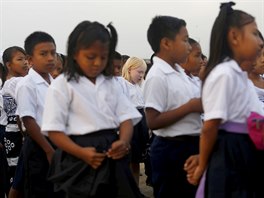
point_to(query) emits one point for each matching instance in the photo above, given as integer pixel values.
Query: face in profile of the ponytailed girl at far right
(249, 43)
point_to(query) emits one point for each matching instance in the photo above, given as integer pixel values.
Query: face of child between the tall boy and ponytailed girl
(194, 60)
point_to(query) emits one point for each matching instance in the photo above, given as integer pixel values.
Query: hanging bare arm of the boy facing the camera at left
(33, 130)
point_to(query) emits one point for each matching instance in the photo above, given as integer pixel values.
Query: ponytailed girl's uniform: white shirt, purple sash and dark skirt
(228, 95)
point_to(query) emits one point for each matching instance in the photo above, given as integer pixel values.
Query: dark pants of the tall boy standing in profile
(167, 160)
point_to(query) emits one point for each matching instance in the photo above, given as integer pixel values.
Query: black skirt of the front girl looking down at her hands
(79, 180)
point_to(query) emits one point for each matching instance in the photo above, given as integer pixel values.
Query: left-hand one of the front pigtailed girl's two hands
(91, 157)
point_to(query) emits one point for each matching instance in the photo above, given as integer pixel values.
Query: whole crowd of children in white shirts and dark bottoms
(79, 125)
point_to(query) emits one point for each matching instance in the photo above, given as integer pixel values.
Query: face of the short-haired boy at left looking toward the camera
(43, 58)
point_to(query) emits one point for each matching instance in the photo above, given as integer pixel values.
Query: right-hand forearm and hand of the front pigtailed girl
(121, 147)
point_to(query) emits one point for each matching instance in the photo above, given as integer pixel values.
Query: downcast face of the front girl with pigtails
(93, 60)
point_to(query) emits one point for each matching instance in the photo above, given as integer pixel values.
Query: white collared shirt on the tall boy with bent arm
(167, 89)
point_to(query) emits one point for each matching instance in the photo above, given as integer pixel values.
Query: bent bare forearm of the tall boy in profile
(157, 120)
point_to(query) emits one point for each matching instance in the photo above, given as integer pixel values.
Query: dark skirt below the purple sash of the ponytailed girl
(232, 167)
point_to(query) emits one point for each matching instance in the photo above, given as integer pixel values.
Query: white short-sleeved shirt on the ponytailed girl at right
(228, 94)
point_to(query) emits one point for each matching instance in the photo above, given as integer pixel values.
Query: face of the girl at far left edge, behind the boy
(18, 66)
